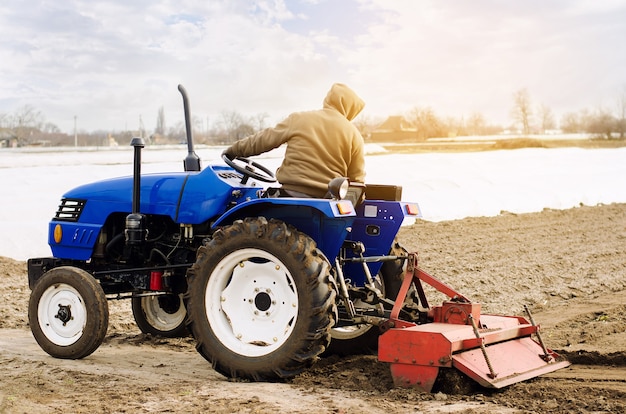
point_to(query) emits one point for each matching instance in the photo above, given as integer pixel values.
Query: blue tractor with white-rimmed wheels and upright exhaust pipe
(262, 282)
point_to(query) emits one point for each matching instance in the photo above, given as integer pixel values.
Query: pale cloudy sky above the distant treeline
(106, 65)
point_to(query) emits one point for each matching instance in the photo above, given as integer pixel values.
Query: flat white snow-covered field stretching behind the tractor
(446, 185)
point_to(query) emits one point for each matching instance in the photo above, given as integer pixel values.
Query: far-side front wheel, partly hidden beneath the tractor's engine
(161, 315)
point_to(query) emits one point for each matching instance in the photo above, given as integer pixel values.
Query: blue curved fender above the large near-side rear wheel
(328, 222)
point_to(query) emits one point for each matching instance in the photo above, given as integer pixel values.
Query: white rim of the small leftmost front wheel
(62, 314)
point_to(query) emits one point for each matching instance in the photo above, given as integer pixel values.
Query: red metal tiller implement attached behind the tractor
(495, 351)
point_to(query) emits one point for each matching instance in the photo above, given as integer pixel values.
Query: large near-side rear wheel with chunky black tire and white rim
(260, 301)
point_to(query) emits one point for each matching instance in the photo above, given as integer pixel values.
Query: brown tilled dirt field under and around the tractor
(568, 266)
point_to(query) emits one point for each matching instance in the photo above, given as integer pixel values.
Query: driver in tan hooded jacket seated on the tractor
(321, 145)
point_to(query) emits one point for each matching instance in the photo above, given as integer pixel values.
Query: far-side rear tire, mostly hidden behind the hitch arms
(363, 339)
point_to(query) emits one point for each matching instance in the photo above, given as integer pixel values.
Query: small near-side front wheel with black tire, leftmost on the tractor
(68, 313)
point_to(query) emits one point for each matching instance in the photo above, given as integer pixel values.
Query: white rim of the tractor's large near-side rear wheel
(251, 305)
